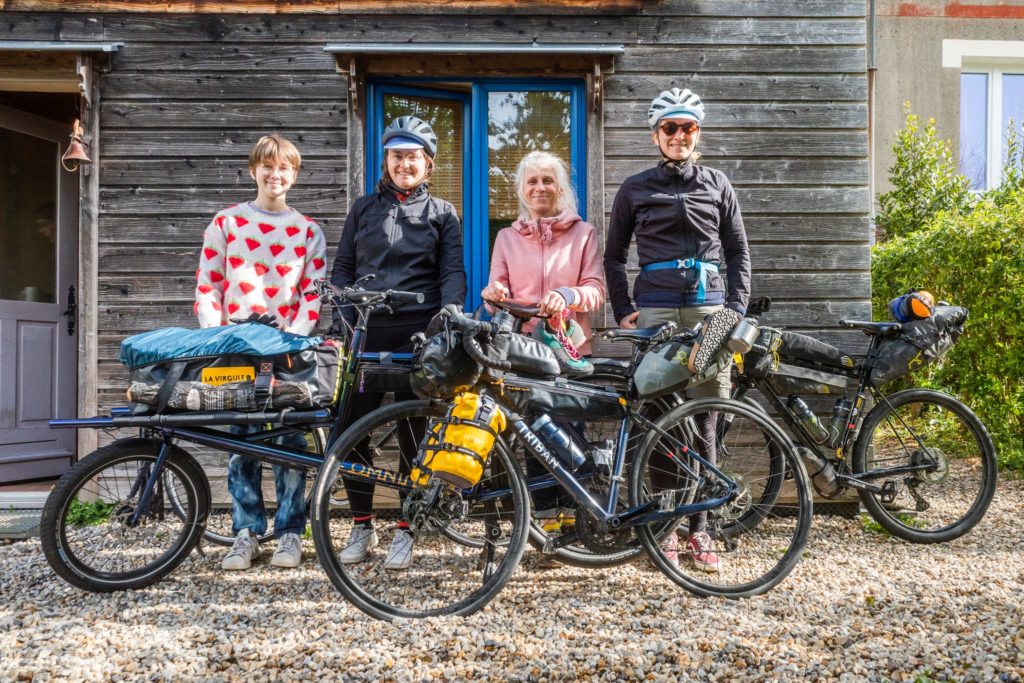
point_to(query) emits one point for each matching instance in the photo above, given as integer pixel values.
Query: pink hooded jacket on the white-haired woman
(534, 258)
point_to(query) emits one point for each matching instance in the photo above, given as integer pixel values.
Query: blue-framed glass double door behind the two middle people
(477, 108)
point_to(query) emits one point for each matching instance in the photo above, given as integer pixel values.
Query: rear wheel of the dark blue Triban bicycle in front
(749, 560)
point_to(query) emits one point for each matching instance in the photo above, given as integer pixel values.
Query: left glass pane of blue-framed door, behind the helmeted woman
(445, 116)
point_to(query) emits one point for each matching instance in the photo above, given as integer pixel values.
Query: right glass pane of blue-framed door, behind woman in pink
(519, 123)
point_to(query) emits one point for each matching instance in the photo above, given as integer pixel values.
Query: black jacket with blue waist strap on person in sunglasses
(691, 214)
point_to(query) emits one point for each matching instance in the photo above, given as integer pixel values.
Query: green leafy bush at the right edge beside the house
(971, 257)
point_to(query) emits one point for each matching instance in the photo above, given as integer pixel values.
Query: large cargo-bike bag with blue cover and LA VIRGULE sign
(246, 367)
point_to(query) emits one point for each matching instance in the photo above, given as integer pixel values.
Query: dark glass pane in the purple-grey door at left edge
(28, 218)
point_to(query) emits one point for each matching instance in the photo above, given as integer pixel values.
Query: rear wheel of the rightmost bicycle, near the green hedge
(935, 461)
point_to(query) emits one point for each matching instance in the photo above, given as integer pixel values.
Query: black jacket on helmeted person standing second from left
(414, 246)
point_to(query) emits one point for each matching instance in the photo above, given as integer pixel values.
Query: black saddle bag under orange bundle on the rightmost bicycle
(919, 344)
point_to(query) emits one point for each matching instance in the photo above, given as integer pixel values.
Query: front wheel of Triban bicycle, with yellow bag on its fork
(465, 543)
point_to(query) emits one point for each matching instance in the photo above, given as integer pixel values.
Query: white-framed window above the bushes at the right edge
(991, 99)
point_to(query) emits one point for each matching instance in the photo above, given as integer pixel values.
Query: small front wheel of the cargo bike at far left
(88, 533)
